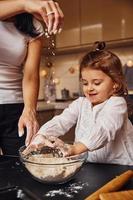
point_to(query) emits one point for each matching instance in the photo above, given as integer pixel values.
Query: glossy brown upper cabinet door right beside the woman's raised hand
(70, 36)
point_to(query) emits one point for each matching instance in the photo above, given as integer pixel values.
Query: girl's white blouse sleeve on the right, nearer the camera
(106, 124)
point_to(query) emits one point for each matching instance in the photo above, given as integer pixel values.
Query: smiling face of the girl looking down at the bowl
(97, 86)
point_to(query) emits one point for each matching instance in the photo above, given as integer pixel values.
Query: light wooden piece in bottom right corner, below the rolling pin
(123, 195)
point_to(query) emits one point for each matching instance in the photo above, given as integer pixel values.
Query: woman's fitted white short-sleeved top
(13, 51)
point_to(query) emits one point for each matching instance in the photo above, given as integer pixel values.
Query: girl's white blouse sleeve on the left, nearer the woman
(60, 124)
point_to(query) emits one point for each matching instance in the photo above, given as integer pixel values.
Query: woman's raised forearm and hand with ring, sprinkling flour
(39, 8)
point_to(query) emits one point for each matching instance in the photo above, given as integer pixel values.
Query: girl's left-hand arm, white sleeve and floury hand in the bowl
(59, 125)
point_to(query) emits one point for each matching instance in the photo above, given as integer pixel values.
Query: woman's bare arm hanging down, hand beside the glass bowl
(30, 90)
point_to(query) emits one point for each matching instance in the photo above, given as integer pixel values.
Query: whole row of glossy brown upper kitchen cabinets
(89, 21)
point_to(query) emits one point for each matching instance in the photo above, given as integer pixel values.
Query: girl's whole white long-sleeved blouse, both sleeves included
(104, 129)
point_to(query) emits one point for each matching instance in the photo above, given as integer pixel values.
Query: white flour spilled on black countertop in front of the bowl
(69, 192)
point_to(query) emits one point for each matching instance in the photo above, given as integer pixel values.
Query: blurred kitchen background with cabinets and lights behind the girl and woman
(85, 22)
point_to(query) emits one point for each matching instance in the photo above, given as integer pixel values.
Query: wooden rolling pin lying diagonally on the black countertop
(113, 185)
